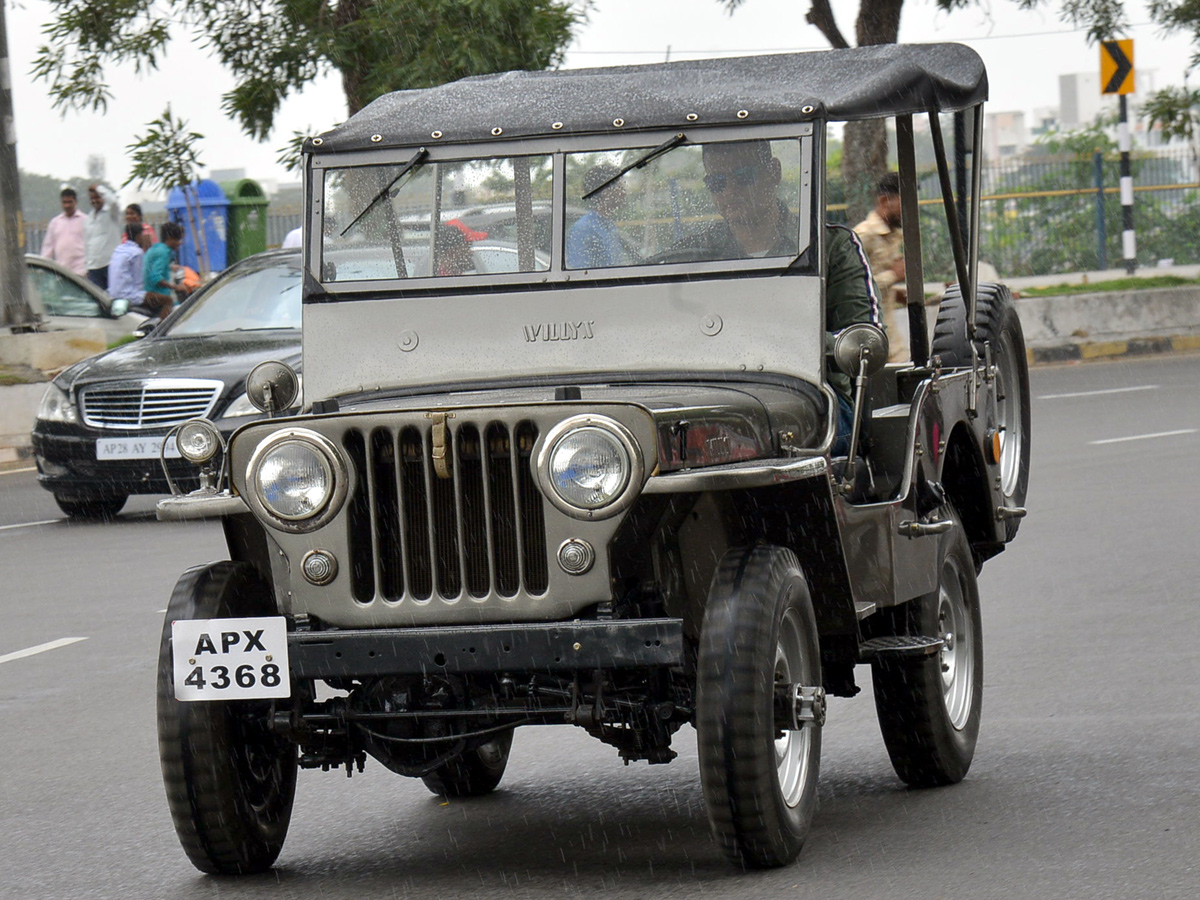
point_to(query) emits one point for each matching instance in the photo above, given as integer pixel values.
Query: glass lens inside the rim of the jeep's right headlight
(589, 467)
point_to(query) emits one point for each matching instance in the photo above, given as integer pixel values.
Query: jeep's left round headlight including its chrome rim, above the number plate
(297, 479)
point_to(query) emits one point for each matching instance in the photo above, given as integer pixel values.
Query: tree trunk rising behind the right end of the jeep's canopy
(866, 148)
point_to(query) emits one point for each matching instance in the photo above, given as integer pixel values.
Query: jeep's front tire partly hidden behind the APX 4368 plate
(230, 779)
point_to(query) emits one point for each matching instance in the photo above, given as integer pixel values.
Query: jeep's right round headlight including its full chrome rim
(591, 467)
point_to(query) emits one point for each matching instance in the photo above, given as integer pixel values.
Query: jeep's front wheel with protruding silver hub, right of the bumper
(760, 784)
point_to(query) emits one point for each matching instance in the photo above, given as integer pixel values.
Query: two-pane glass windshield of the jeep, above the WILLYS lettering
(567, 214)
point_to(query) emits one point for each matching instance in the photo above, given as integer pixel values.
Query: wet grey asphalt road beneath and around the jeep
(1085, 782)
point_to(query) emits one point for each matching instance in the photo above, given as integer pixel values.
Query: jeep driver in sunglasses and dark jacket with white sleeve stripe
(743, 178)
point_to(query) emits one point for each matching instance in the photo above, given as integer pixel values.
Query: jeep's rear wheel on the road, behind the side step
(929, 709)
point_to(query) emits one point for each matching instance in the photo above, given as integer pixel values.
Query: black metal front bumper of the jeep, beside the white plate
(556, 647)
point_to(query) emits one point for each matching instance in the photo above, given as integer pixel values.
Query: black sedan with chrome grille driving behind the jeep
(103, 424)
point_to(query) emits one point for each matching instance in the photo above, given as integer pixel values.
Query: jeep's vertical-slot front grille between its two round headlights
(477, 529)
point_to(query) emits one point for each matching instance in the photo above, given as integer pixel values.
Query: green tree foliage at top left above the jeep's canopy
(274, 49)
